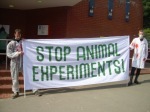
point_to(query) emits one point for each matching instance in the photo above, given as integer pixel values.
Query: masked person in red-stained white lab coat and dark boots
(140, 47)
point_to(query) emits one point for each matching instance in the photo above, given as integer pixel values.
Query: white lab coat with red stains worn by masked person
(140, 52)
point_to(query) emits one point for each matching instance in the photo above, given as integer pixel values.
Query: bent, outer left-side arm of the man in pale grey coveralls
(10, 51)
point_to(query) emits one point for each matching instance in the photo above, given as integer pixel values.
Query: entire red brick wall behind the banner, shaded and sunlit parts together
(74, 21)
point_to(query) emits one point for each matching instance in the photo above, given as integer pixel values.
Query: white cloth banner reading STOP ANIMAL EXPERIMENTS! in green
(54, 63)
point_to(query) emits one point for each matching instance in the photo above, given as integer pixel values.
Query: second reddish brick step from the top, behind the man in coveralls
(8, 80)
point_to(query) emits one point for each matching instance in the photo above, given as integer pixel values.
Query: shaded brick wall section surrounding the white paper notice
(56, 18)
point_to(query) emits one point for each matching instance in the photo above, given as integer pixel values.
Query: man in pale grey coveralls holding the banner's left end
(15, 53)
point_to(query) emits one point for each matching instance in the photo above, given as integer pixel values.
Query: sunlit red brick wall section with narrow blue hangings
(80, 25)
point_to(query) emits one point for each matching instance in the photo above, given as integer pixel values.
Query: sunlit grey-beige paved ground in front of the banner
(110, 97)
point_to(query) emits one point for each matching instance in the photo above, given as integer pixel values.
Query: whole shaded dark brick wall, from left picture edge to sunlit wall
(28, 21)
